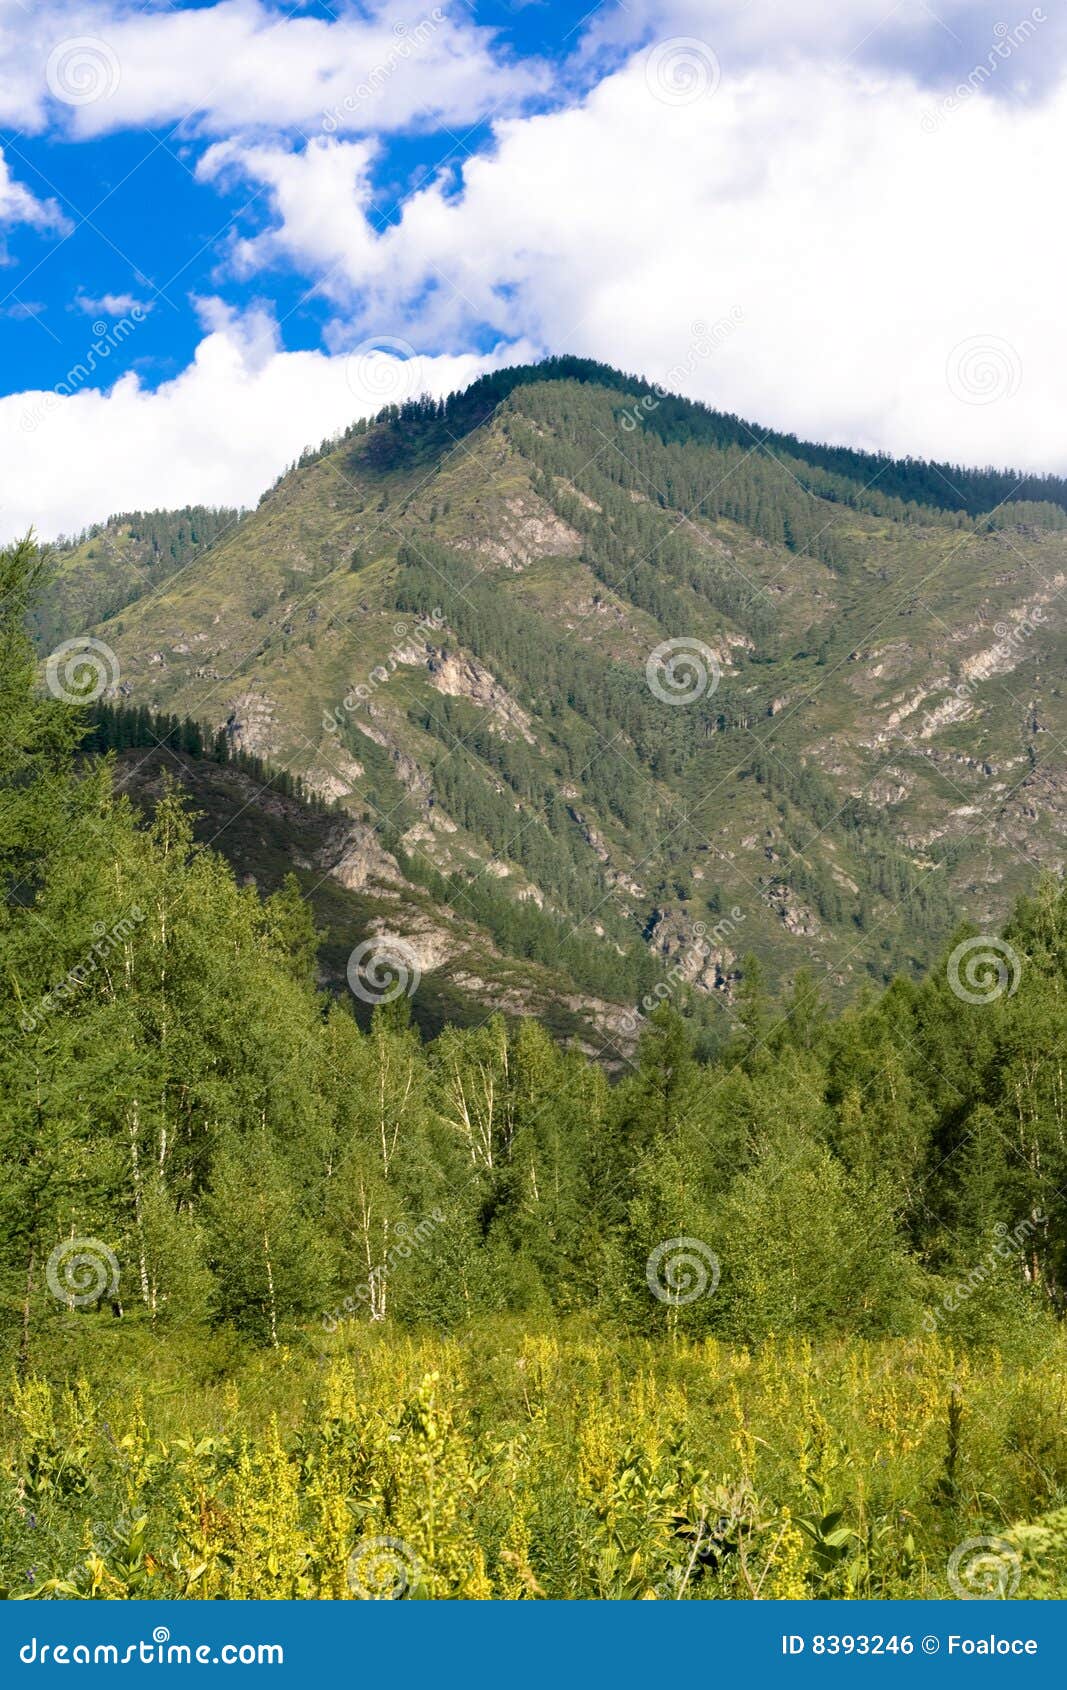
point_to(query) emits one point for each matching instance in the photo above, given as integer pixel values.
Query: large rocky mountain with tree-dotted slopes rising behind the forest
(452, 623)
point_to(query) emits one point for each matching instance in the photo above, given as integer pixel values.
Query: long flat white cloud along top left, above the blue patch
(244, 65)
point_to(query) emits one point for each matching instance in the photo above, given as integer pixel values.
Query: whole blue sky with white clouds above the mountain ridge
(229, 227)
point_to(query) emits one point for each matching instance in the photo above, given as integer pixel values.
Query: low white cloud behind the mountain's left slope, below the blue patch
(219, 433)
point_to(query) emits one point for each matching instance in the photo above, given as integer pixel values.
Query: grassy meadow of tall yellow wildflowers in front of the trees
(552, 1464)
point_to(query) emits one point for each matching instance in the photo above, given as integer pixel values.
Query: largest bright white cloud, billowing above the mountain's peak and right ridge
(862, 229)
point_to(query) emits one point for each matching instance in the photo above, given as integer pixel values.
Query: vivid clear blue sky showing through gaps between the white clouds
(145, 227)
